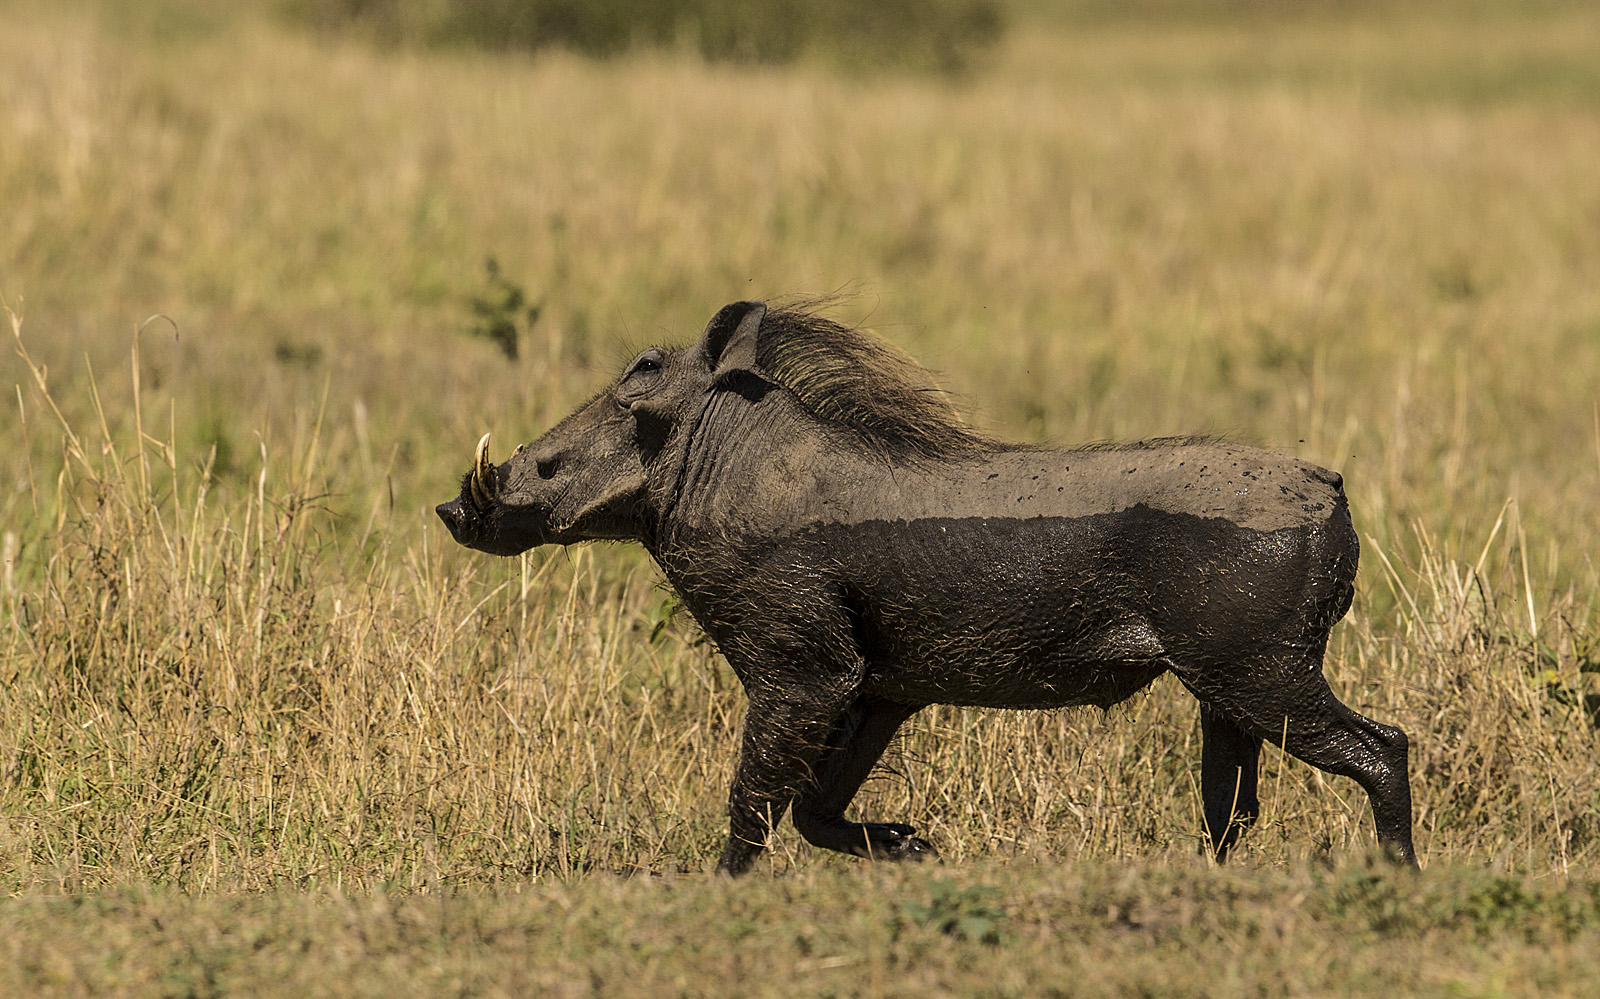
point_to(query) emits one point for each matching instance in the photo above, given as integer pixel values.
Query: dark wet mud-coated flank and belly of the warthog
(1047, 612)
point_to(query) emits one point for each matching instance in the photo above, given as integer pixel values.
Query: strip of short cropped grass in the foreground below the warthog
(983, 931)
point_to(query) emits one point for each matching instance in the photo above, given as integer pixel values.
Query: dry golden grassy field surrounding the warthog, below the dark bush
(255, 705)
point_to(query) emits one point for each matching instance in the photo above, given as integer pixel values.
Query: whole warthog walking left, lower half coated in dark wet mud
(858, 555)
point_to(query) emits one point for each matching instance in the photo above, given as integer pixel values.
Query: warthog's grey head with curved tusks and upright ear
(594, 475)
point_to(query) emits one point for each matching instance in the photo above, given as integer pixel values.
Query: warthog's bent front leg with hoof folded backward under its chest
(857, 744)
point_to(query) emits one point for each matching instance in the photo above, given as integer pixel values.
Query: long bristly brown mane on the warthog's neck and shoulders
(860, 383)
